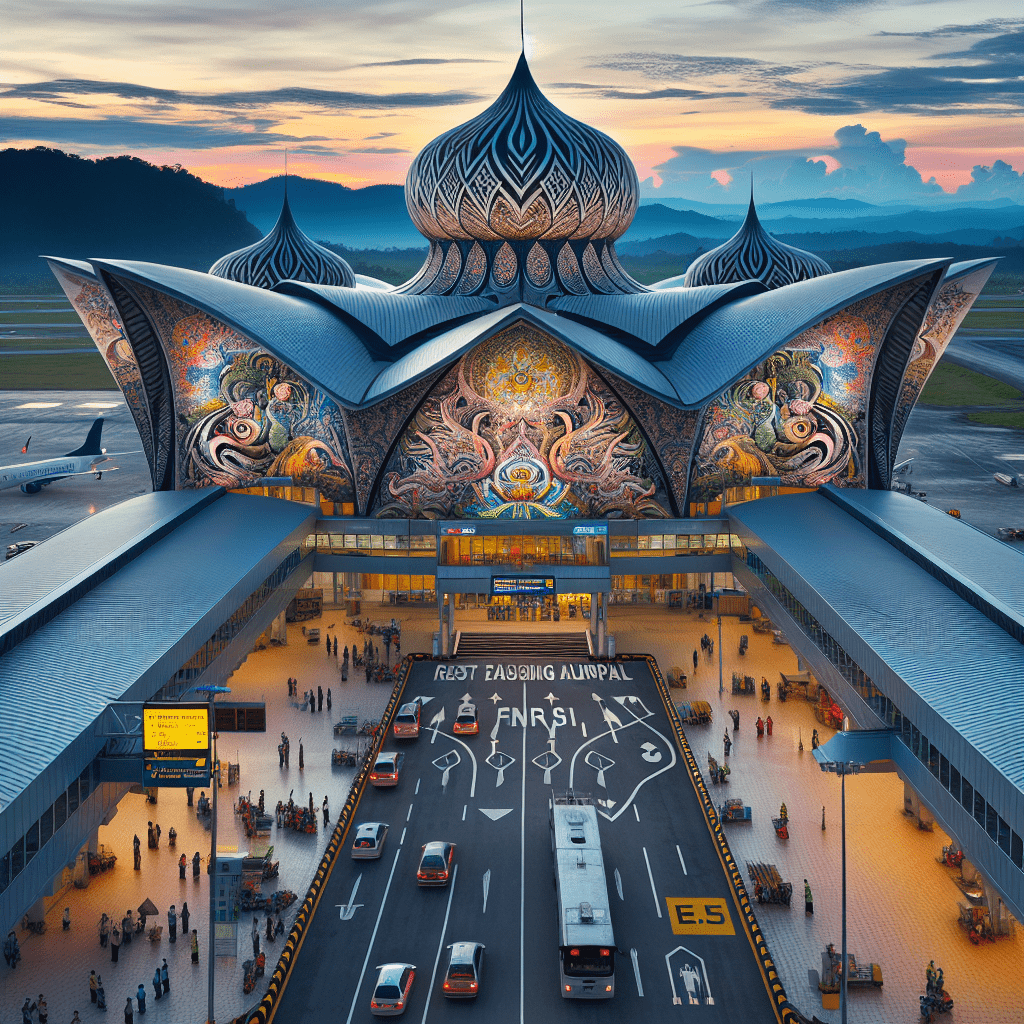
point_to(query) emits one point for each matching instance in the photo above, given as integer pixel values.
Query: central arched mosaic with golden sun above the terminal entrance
(523, 429)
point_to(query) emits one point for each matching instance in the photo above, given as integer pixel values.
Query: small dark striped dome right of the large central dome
(753, 254)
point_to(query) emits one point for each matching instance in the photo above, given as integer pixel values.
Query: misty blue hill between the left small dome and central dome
(374, 218)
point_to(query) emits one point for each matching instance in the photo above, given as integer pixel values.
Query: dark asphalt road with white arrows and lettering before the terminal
(537, 738)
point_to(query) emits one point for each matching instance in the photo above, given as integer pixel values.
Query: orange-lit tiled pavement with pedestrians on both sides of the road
(903, 905)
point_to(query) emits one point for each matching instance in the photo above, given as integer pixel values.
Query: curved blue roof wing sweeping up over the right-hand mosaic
(734, 339)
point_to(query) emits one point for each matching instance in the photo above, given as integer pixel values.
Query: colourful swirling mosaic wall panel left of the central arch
(243, 414)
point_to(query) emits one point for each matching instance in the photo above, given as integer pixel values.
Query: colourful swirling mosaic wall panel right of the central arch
(800, 415)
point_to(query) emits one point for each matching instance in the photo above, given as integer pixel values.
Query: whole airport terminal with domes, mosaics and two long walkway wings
(524, 426)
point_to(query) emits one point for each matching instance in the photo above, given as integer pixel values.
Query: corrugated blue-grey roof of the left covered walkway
(94, 653)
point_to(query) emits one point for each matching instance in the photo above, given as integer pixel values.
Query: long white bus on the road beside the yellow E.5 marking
(586, 943)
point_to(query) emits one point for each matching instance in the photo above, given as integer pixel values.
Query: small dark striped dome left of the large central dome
(286, 254)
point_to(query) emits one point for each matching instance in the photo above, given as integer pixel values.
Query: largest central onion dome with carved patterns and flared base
(522, 200)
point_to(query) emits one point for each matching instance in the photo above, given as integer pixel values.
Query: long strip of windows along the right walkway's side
(926, 752)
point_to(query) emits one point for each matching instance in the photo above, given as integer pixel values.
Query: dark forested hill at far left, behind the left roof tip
(58, 204)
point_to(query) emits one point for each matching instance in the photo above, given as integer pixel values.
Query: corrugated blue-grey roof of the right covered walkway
(967, 669)
